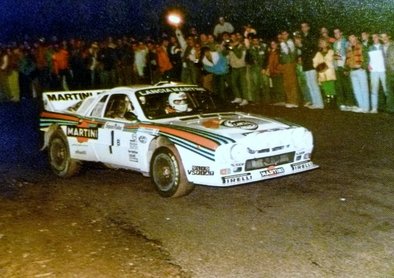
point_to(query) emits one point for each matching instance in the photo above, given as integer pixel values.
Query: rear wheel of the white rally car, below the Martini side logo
(59, 156)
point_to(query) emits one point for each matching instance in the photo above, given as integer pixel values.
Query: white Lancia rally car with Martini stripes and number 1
(174, 133)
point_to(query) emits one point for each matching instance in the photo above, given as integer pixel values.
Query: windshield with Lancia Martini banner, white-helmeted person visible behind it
(176, 101)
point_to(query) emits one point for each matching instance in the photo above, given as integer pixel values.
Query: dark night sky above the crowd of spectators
(21, 19)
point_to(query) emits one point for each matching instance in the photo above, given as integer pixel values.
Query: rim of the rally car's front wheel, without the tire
(164, 173)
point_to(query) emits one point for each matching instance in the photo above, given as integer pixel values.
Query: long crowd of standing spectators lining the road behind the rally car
(315, 70)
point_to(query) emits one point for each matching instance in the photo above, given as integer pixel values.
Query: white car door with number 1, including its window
(117, 144)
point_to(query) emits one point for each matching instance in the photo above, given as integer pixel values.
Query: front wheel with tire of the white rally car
(168, 174)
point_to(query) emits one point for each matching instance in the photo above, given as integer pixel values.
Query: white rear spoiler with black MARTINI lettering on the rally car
(60, 101)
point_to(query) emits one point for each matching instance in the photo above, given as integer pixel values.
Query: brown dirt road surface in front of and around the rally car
(337, 221)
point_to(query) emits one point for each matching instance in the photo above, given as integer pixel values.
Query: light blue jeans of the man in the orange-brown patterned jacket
(360, 88)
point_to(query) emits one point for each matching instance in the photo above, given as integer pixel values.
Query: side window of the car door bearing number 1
(117, 106)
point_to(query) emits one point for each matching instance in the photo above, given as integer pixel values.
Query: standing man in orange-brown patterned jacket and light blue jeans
(358, 75)
